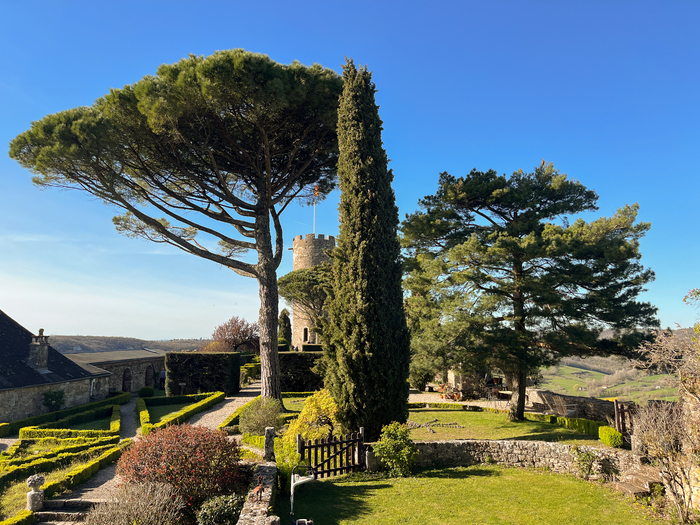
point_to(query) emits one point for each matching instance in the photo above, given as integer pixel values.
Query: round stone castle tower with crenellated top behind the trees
(308, 252)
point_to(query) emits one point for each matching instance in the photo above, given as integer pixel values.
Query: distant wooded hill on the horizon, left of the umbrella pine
(74, 344)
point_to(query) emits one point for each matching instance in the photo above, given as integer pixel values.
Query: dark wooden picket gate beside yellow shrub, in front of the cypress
(334, 456)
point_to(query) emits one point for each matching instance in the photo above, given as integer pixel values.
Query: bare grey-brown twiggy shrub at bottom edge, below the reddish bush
(147, 503)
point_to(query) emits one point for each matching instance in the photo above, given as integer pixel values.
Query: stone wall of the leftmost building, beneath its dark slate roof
(20, 403)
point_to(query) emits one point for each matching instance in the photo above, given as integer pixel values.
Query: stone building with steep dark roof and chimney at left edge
(29, 366)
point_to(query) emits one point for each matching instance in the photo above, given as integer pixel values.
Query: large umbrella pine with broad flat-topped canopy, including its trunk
(205, 156)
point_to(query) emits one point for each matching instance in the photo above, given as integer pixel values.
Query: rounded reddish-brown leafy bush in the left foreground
(197, 461)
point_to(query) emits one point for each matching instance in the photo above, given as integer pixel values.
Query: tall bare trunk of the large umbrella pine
(267, 278)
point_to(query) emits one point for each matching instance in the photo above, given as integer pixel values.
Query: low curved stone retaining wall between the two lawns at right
(556, 457)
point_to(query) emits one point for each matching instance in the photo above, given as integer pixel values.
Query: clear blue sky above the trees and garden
(606, 90)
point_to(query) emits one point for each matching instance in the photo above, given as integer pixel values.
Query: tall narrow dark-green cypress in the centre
(366, 341)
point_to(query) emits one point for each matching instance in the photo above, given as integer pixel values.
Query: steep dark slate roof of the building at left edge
(15, 371)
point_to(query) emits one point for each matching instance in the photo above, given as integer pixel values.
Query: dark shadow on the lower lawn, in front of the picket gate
(330, 503)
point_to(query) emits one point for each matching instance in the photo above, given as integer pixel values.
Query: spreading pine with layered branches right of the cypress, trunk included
(499, 275)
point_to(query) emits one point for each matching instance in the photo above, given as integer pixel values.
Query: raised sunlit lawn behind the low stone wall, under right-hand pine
(489, 425)
